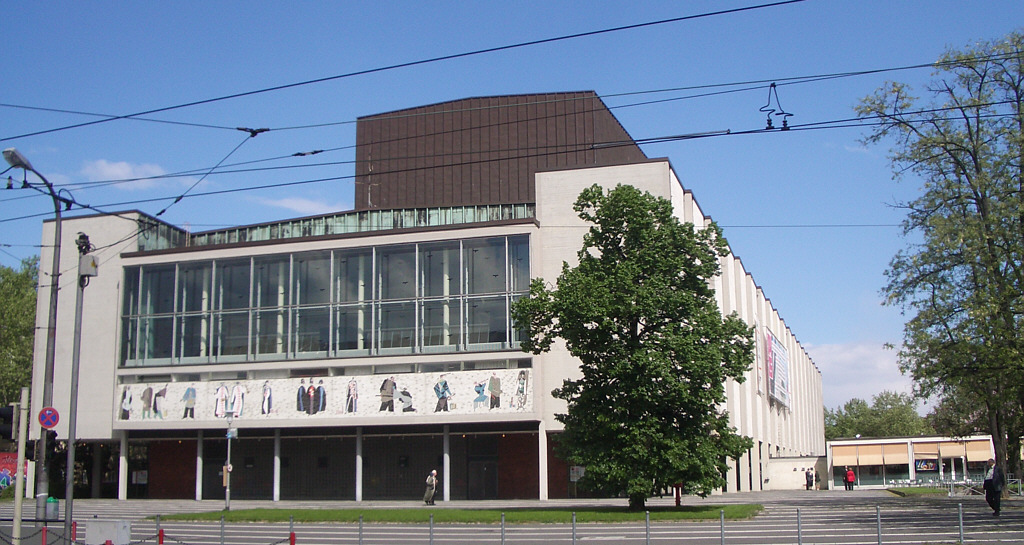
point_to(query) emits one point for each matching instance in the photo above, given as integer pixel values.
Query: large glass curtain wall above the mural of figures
(432, 298)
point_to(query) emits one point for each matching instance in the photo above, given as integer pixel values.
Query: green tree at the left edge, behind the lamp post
(18, 325)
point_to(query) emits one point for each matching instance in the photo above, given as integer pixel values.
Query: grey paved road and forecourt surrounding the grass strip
(790, 518)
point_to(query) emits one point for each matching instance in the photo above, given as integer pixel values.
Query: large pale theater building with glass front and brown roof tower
(354, 353)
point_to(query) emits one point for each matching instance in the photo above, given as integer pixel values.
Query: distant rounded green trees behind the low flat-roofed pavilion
(891, 414)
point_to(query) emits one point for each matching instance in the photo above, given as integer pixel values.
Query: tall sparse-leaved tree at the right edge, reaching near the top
(963, 284)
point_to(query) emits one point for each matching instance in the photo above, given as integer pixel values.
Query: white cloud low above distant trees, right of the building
(858, 370)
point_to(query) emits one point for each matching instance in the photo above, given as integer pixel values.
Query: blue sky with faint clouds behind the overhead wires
(809, 213)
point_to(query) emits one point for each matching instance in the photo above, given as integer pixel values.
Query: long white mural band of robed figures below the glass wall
(215, 401)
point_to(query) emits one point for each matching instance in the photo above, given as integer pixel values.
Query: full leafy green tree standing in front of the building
(655, 351)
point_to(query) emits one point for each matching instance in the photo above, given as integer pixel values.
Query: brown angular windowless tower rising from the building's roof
(483, 151)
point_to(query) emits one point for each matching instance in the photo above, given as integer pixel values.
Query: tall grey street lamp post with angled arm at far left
(17, 160)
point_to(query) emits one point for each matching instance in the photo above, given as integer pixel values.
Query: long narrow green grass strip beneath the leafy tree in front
(422, 515)
